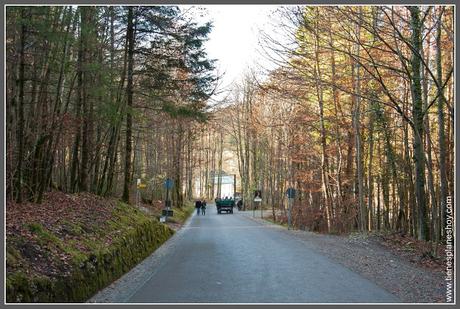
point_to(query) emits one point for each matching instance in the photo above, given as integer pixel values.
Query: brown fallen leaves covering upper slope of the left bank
(64, 219)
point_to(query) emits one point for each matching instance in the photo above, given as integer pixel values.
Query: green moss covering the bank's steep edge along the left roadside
(135, 236)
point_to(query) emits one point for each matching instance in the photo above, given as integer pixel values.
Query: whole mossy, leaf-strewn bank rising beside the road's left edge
(70, 255)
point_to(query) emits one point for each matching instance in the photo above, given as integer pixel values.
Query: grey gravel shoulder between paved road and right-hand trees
(367, 257)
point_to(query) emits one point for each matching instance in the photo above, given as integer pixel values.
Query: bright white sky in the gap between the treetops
(234, 39)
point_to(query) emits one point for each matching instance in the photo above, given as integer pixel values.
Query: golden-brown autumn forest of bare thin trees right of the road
(358, 117)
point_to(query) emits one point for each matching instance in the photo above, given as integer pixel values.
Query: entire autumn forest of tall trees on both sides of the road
(358, 114)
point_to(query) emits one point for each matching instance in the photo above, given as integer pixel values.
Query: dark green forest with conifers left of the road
(100, 96)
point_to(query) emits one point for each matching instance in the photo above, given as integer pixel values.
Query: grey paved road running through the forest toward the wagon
(233, 259)
